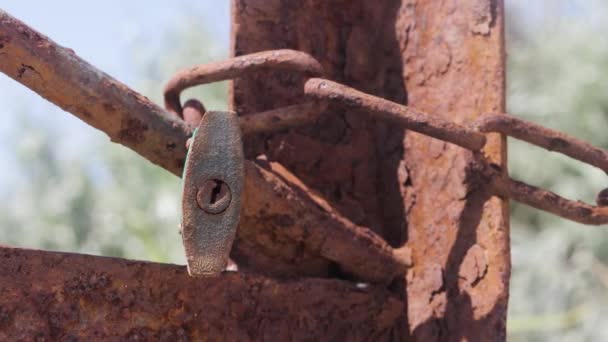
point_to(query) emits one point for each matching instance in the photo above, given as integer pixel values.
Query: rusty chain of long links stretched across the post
(472, 137)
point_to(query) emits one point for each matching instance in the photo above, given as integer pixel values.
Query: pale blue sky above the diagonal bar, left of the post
(101, 31)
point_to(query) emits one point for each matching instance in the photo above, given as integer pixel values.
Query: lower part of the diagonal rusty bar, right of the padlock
(296, 213)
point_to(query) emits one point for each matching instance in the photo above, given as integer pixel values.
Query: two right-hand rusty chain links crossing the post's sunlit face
(472, 138)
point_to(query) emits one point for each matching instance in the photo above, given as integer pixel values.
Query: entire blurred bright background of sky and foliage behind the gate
(64, 186)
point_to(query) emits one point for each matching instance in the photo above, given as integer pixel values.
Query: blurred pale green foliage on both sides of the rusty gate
(111, 202)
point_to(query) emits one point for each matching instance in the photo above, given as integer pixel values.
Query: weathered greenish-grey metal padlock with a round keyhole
(212, 187)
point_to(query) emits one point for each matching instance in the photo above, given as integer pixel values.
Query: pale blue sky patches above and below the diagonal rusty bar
(103, 33)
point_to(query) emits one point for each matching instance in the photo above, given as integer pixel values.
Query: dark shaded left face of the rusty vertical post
(346, 157)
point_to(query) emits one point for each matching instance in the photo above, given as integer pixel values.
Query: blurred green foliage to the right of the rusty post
(558, 77)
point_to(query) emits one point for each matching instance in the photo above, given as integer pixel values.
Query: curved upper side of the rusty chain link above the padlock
(289, 60)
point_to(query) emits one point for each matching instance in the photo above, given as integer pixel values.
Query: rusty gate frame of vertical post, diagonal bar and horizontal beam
(441, 57)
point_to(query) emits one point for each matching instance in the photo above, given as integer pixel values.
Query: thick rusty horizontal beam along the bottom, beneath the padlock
(49, 296)
